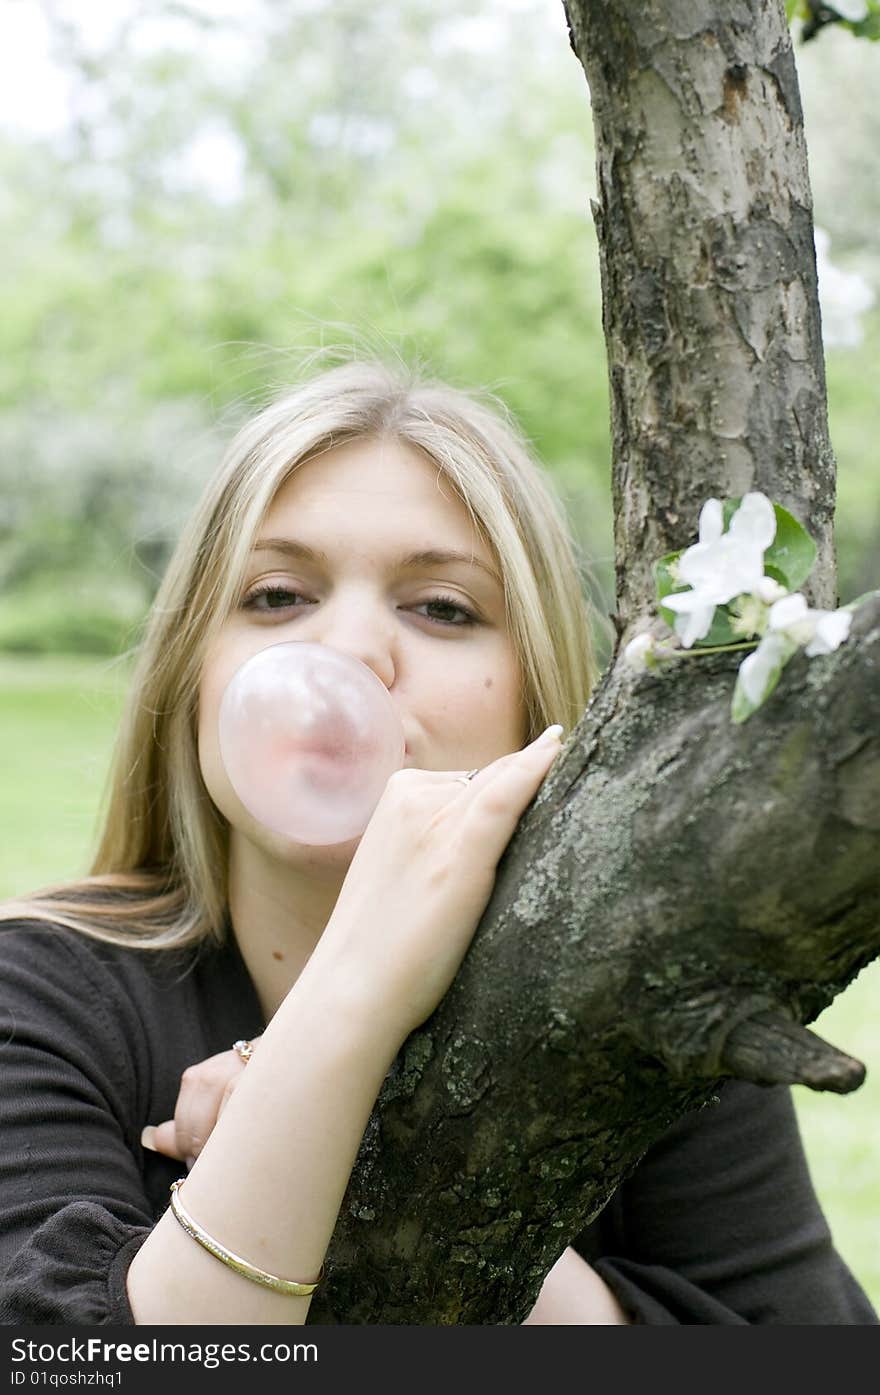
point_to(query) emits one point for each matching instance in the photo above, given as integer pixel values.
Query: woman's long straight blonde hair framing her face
(158, 880)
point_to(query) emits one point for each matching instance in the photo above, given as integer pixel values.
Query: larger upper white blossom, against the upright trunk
(722, 566)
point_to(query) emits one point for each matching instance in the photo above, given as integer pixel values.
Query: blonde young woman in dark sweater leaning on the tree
(405, 524)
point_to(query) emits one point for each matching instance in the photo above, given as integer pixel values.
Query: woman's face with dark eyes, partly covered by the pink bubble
(433, 630)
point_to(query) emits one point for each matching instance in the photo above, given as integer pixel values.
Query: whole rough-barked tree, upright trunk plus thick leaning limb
(684, 893)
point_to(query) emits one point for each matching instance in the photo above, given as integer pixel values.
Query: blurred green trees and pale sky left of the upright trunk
(235, 186)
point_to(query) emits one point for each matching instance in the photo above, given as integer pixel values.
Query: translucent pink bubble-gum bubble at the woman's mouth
(309, 737)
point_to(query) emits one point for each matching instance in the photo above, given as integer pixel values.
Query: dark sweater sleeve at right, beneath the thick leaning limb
(720, 1226)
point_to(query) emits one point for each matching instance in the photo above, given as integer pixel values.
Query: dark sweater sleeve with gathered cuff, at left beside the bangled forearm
(73, 1205)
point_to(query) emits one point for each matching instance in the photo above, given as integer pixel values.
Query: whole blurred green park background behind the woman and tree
(199, 199)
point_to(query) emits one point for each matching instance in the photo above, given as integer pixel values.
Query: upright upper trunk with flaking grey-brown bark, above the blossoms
(709, 274)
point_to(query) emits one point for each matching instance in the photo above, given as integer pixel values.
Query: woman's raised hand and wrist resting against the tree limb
(420, 880)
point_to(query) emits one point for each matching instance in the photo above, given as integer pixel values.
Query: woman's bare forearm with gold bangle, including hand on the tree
(270, 1181)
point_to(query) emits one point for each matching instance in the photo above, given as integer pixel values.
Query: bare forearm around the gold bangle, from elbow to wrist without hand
(271, 1178)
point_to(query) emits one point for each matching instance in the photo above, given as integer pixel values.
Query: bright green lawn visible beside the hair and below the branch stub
(58, 721)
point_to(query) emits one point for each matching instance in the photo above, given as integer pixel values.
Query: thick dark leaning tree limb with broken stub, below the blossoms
(680, 896)
